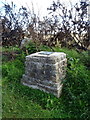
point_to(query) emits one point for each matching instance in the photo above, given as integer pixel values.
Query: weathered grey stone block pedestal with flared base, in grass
(45, 71)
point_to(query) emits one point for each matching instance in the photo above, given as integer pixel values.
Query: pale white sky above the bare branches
(39, 5)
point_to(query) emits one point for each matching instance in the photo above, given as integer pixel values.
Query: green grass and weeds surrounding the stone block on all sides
(23, 102)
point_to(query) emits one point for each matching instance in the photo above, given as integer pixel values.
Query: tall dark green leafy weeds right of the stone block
(76, 88)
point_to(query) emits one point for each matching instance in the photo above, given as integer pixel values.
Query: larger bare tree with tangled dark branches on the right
(72, 25)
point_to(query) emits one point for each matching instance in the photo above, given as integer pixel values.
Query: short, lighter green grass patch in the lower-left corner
(19, 106)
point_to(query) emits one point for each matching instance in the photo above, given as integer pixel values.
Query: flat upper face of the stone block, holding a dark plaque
(47, 54)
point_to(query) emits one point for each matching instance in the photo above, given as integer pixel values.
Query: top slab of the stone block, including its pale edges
(46, 57)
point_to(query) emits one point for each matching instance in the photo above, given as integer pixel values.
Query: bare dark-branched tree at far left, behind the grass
(13, 24)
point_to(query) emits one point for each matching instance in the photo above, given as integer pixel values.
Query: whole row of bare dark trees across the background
(66, 28)
